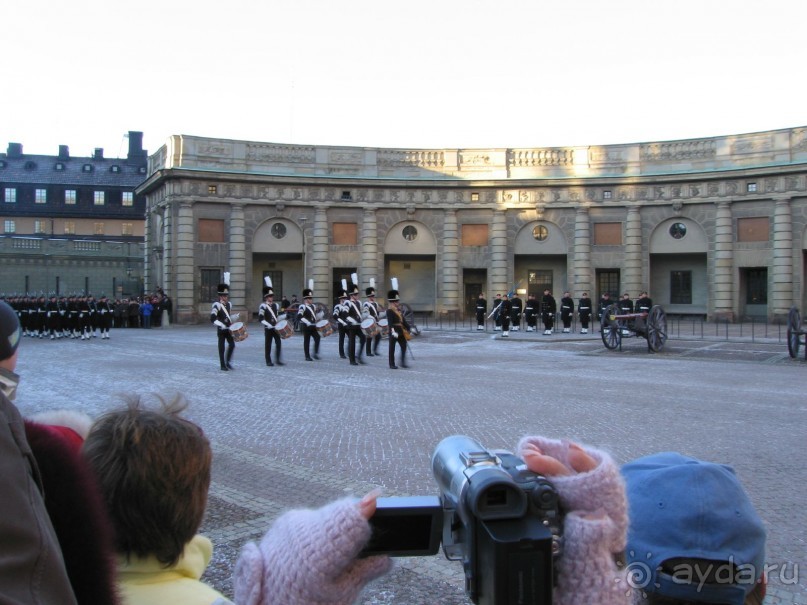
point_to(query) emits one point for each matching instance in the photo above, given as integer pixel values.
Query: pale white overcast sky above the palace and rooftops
(417, 74)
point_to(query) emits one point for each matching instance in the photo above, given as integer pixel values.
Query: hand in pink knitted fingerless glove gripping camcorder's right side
(592, 493)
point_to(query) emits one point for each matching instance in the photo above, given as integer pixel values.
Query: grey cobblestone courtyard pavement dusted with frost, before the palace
(308, 432)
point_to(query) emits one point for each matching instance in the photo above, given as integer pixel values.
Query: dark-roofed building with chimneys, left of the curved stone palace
(72, 224)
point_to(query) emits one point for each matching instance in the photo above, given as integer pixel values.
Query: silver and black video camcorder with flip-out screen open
(501, 520)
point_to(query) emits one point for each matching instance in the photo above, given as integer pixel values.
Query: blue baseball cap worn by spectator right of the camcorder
(682, 508)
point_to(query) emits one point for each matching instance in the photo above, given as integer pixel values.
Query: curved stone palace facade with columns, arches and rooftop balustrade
(714, 227)
